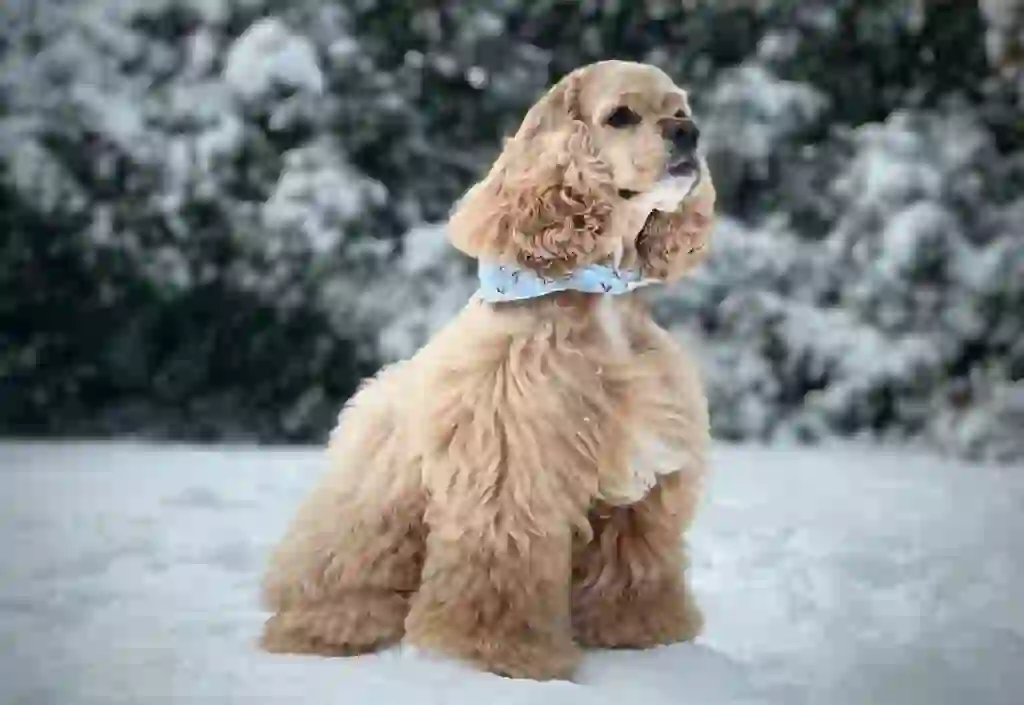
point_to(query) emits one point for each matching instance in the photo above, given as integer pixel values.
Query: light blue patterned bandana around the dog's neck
(505, 283)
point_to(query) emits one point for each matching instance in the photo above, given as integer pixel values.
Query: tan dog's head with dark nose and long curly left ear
(604, 136)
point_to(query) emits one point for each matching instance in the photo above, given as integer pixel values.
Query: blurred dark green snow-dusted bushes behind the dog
(217, 217)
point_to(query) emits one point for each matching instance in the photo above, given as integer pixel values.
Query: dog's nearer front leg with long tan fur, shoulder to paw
(508, 489)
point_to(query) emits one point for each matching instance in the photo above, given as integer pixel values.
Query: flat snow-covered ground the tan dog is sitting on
(129, 574)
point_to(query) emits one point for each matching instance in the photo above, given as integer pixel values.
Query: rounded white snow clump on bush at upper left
(269, 54)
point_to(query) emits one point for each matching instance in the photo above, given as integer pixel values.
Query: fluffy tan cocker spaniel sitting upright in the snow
(521, 487)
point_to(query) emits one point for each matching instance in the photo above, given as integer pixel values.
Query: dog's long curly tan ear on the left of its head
(548, 198)
